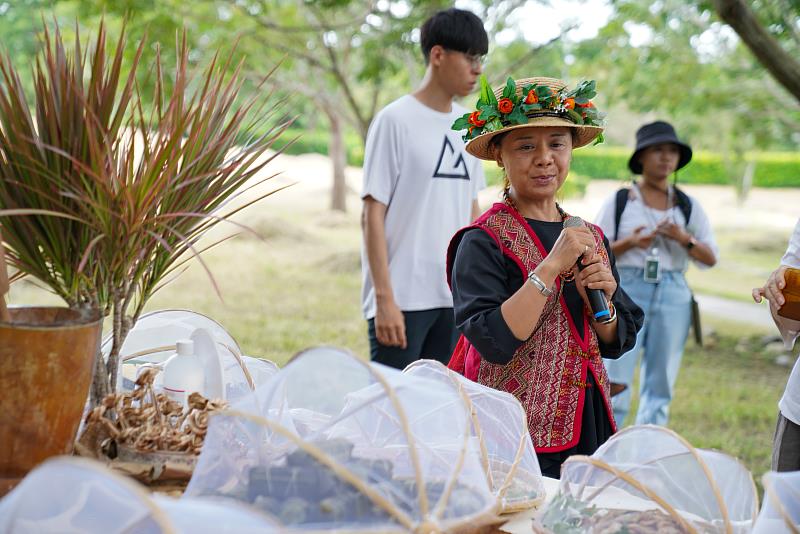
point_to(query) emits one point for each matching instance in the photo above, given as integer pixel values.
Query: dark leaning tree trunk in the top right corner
(783, 67)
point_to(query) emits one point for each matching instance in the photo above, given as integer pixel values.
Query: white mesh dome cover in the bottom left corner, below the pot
(70, 495)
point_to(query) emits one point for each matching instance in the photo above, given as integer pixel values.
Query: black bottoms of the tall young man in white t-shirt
(430, 334)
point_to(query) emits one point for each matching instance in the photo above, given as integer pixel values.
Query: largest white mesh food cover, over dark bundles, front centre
(334, 442)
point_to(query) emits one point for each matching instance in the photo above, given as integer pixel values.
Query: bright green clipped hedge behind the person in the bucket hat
(772, 169)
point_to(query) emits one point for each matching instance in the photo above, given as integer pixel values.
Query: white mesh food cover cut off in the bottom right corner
(780, 513)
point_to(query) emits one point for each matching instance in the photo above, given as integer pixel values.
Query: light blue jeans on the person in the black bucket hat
(667, 314)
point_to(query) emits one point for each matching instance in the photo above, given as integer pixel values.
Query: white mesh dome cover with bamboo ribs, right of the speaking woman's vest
(651, 478)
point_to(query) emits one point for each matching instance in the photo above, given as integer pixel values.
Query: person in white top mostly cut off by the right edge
(786, 443)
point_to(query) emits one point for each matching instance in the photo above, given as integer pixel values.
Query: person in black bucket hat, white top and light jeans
(655, 229)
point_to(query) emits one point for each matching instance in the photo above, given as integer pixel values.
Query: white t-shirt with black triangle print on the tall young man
(418, 166)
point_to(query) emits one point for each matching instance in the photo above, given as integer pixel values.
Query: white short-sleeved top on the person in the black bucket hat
(672, 256)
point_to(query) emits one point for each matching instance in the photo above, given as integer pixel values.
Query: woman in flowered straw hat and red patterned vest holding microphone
(519, 297)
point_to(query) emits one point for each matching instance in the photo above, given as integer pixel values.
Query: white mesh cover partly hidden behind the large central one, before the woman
(499, 424)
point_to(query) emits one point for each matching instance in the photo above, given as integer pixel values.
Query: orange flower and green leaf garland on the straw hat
(516, 106)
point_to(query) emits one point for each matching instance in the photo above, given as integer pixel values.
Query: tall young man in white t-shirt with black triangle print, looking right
(420, 187)
